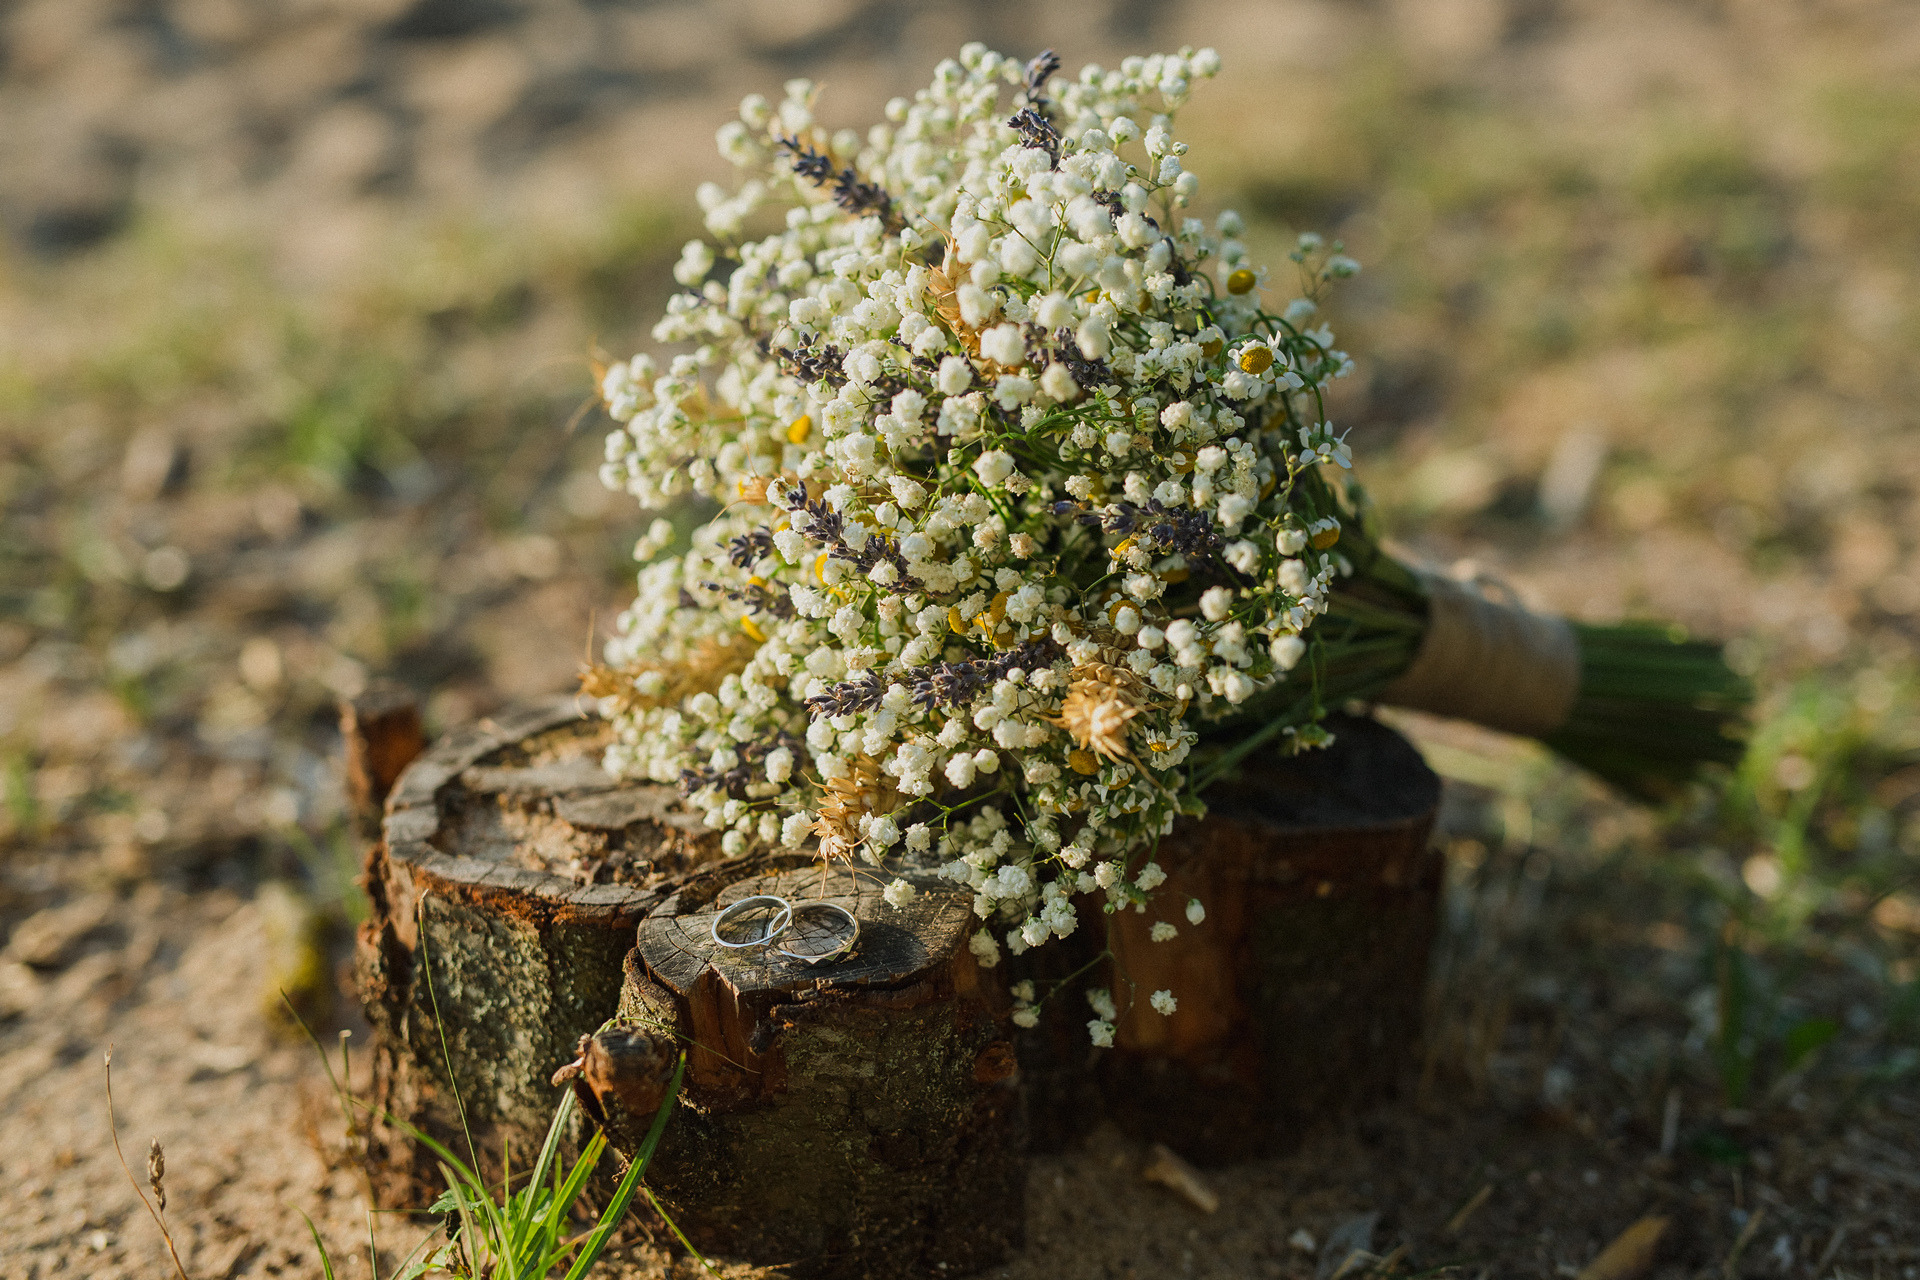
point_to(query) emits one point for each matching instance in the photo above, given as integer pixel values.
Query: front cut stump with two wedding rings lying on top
(850, 1120)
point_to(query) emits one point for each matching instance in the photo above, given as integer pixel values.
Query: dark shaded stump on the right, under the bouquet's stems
(1301, 993)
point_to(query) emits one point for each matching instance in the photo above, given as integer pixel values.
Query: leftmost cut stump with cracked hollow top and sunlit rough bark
(504, 897)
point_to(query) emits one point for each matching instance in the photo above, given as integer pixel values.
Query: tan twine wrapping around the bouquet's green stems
(1495, 665)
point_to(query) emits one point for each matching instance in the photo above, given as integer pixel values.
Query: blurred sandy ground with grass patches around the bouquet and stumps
(299, 306)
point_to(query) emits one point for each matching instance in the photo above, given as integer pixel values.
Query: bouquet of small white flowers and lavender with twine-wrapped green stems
(1030, 515)
